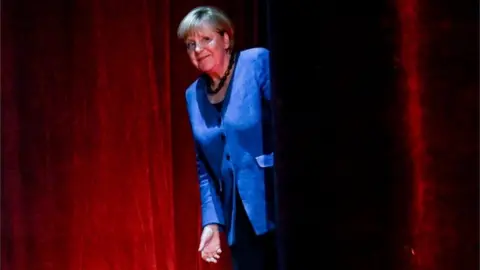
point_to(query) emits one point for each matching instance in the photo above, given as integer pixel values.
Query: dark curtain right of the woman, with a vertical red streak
(377, 133)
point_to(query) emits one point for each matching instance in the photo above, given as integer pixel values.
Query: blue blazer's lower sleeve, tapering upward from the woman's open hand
(211, 207)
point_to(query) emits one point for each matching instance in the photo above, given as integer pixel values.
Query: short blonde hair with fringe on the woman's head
(206, 14)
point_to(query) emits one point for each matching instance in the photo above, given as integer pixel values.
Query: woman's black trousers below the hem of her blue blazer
(251, 251)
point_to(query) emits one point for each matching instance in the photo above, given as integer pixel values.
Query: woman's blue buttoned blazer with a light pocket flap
(234, 146)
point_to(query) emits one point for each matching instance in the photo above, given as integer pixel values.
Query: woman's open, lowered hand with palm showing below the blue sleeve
(210, 243)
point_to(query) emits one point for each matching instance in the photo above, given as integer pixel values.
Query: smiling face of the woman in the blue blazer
(207, 48)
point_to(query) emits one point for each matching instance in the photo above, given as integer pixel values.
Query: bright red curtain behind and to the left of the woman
(97, 164)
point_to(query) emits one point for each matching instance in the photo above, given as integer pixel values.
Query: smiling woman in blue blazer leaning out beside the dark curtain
(231, 119)
